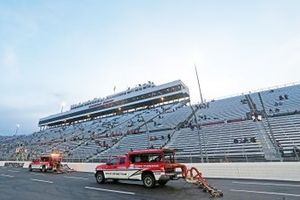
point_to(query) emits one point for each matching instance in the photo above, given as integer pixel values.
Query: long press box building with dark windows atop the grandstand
(143, 95)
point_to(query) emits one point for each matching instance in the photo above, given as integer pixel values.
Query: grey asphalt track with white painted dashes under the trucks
(20, 184)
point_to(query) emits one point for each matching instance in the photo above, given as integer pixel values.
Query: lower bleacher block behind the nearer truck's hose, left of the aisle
(216, 142)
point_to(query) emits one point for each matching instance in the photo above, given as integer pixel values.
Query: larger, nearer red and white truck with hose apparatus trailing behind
(153, 166)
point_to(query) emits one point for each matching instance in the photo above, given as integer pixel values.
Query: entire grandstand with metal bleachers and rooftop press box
(259, 126)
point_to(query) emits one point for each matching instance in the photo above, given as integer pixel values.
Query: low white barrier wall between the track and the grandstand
(289, 171)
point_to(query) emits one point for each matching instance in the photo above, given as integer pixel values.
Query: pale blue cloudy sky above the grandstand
(71, 51)
